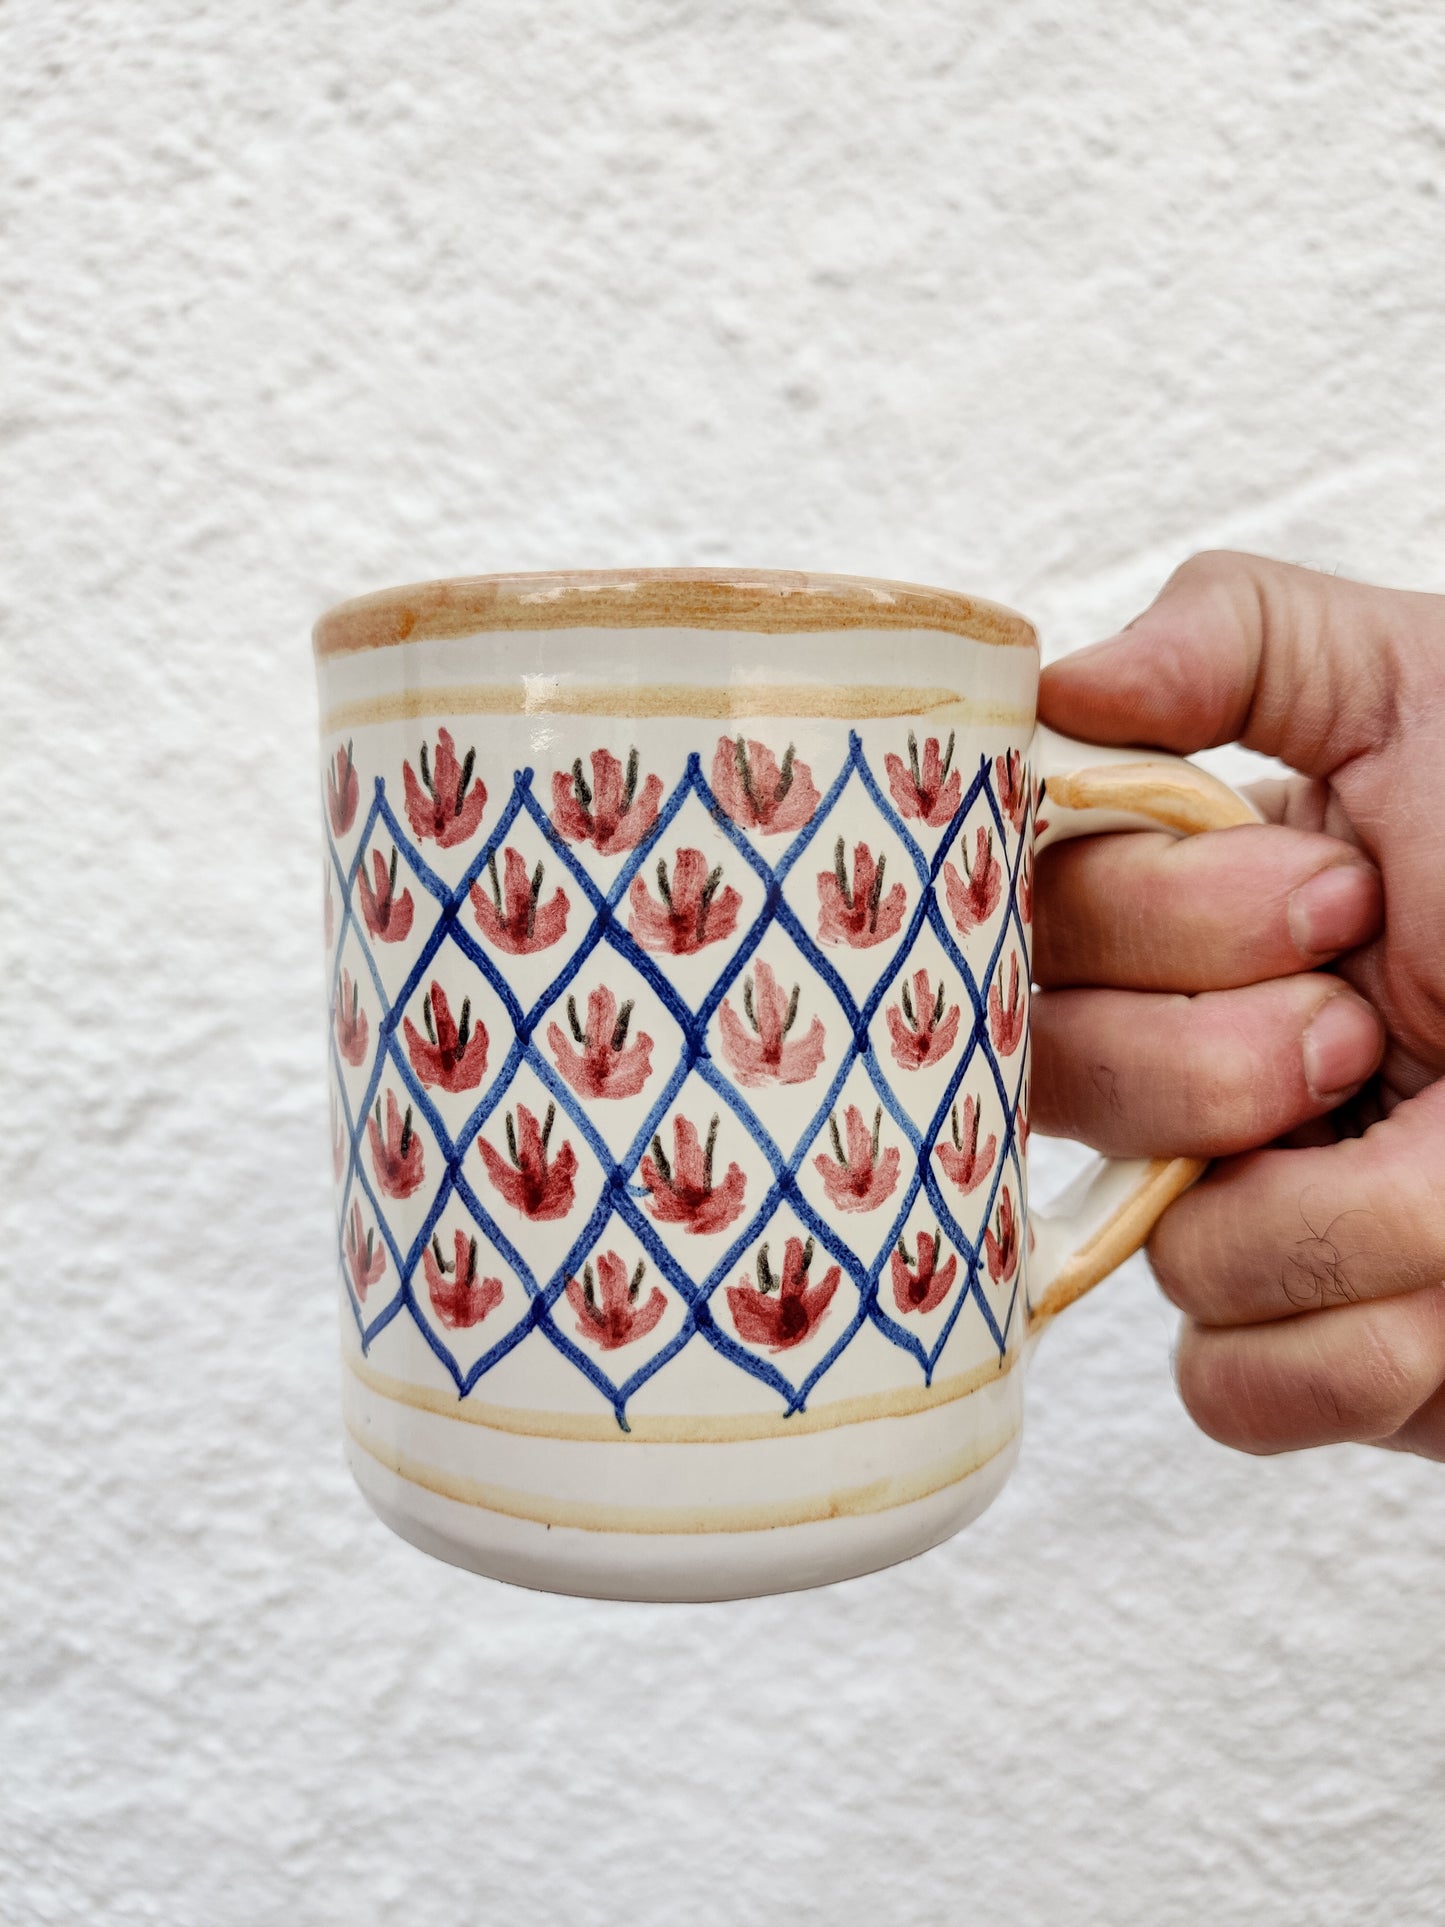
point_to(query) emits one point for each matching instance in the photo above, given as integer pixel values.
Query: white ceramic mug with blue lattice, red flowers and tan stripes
(679, 959)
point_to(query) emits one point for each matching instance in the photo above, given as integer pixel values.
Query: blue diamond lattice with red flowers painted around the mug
(619, 1323)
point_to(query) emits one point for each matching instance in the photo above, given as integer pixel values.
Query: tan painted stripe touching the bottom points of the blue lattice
(683, 1429)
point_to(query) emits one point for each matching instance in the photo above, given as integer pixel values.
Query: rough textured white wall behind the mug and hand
(302, 300)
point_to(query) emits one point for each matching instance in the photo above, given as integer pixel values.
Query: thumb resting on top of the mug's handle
(1238, 648)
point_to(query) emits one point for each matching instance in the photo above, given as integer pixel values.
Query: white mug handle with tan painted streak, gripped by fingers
(1111, 1209)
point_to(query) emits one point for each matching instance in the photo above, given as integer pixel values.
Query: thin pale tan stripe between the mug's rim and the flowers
(858, 702)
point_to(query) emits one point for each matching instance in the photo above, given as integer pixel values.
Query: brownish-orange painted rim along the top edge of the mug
(752, 600)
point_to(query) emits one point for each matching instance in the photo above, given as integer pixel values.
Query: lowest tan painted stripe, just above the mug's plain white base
(587, 1516)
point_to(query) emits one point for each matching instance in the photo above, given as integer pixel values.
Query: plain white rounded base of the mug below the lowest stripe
(681, 1568)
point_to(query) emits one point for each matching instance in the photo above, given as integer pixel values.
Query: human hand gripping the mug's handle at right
(1184, 1009)
